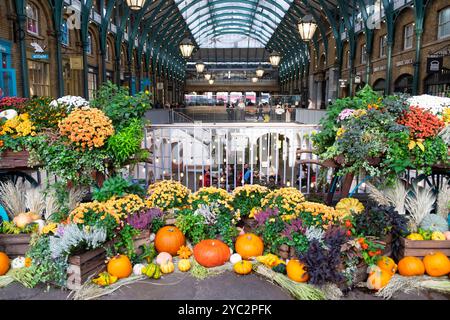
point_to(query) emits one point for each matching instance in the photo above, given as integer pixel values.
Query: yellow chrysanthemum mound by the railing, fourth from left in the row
(287, 200)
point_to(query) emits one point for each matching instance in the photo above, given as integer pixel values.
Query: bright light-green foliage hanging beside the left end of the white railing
(126, 142)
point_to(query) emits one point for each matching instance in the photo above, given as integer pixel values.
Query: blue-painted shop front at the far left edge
(8, 87)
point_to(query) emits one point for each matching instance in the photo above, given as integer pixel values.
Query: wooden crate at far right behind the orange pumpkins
(420, 248)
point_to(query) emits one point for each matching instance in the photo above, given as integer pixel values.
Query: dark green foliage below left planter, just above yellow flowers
(116, 186)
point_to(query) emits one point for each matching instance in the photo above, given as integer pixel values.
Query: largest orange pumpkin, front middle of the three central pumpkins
(211, 253)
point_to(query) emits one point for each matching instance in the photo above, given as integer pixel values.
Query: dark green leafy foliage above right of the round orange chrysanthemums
(119, 106)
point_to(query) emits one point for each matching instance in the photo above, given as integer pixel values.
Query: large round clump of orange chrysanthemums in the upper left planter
(87, 128)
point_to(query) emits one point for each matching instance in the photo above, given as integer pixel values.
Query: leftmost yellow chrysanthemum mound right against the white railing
(167, 194)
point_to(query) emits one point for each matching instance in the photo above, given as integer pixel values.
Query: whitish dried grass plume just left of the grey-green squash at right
(420, 203)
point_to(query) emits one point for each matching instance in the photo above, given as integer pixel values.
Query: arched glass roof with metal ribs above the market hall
(233, 24)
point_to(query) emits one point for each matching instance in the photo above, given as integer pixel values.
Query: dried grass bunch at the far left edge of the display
(12, 198)
